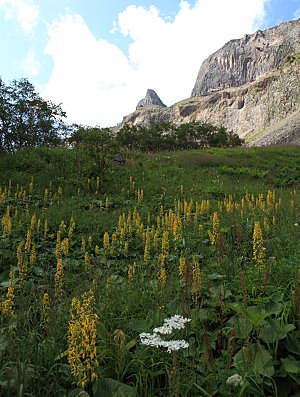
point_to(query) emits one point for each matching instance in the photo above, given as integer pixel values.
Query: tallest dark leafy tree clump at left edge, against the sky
(26, 120)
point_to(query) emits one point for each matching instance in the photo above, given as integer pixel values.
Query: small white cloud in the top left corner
(23, 11)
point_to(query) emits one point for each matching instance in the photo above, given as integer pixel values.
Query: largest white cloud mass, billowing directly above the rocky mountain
(98, 84)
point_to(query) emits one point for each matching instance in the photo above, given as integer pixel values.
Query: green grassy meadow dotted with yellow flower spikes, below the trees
(93, 259)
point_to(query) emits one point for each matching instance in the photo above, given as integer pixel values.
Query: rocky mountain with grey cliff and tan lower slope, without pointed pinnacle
(251, 86)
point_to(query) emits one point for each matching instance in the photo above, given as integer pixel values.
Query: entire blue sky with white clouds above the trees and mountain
(97, 58)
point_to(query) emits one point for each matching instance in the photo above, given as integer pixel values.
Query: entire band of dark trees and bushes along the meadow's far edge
(27, 120)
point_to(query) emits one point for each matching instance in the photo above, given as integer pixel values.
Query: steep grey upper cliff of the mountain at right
(244, 60)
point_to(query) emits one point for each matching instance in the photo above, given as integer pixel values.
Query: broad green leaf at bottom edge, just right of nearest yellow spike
(109, 387)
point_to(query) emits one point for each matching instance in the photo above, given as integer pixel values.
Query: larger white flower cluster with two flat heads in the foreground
(175, 322)
